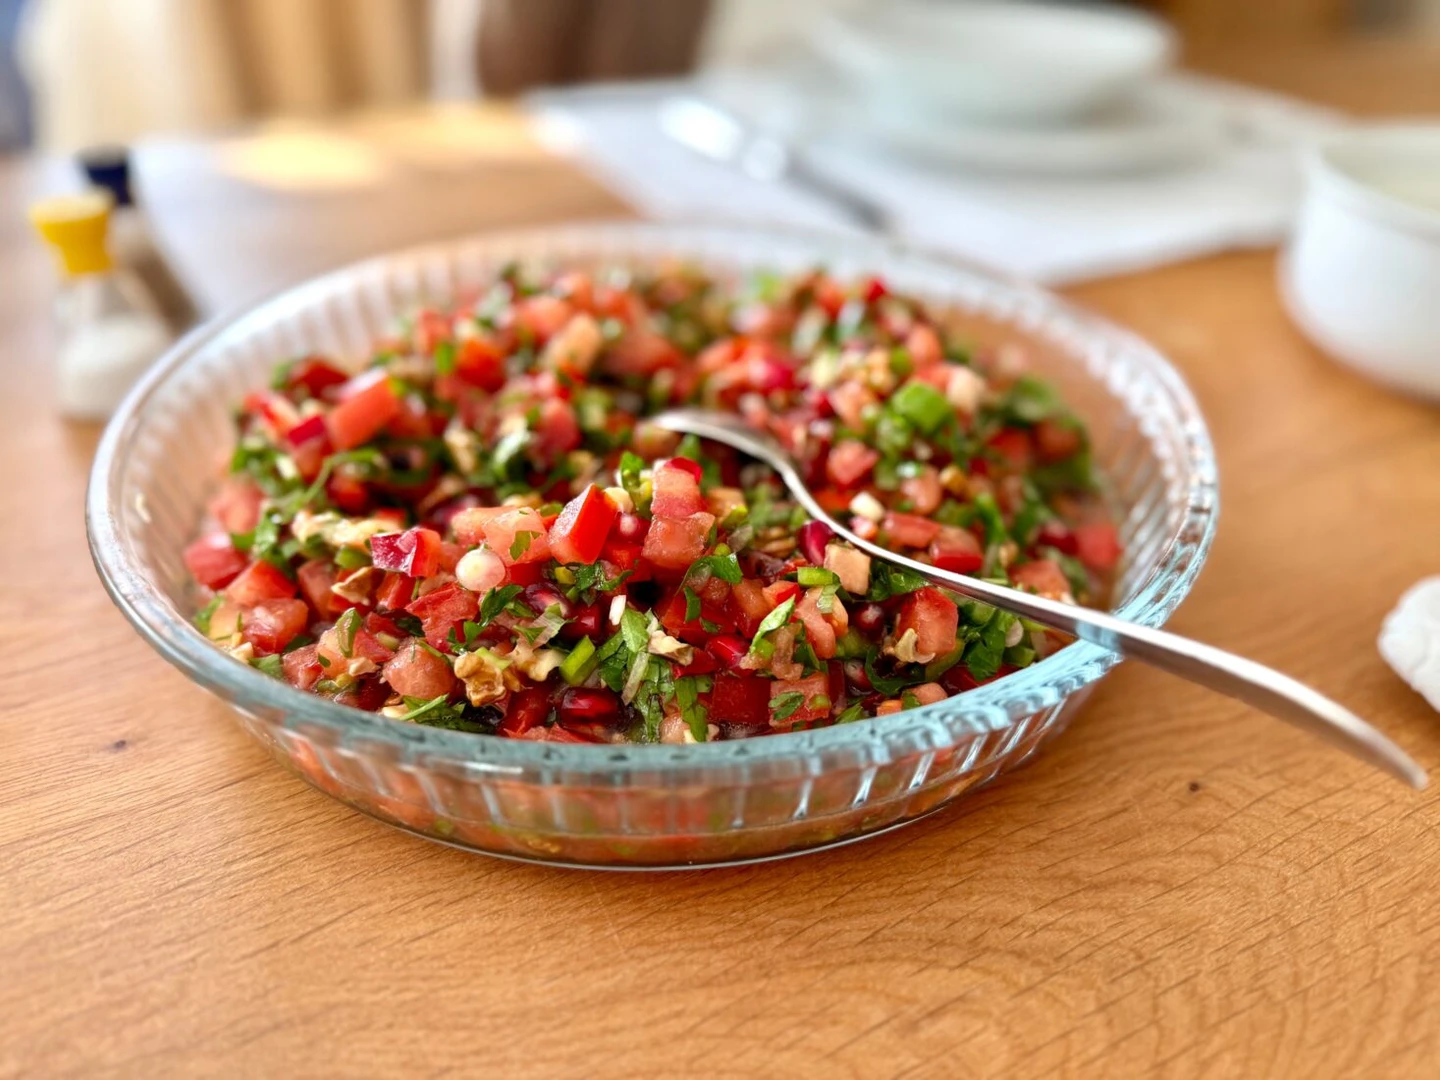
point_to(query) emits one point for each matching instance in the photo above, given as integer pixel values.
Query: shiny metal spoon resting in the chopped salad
(1238, 678)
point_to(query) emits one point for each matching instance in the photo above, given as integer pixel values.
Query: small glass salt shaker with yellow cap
(110, 326)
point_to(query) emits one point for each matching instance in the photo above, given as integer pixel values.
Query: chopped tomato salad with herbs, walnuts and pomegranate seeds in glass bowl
(482, 532)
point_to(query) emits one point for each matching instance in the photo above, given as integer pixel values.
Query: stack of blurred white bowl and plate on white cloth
(1014, 86)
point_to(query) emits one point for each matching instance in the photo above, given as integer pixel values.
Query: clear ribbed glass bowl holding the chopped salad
(644, 806)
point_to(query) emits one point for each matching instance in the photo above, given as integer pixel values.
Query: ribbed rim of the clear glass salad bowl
(987, 709)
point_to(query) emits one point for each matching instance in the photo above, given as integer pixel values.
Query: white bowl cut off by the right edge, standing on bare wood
(1362, 276)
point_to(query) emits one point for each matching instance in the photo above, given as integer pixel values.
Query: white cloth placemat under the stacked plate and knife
(1053, 230)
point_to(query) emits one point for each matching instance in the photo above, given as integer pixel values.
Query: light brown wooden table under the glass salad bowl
(1177, 886)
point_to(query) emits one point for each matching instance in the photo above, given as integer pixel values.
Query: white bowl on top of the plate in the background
(1000, 61)
